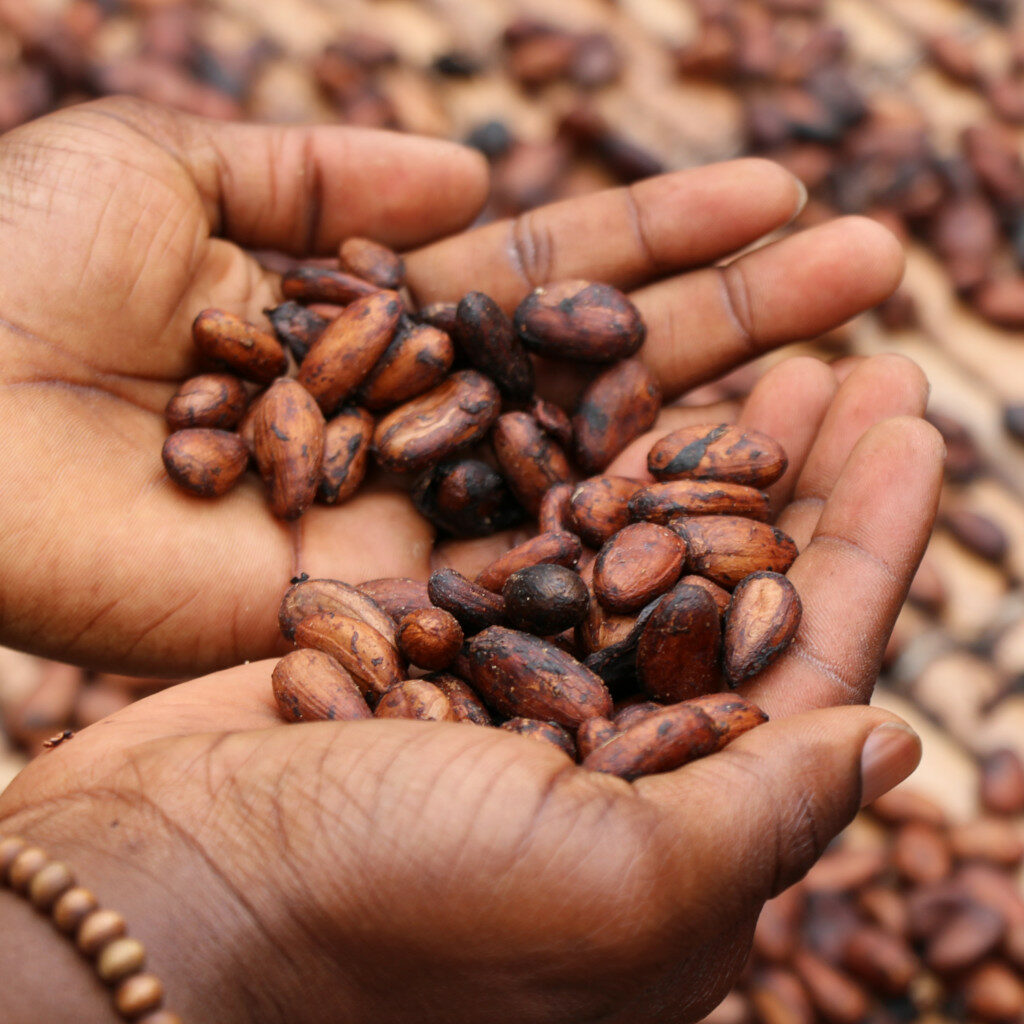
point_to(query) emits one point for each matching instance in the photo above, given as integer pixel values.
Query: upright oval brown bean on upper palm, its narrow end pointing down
(288, 444)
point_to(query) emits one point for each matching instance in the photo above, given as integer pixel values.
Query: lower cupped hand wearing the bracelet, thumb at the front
(393, 872)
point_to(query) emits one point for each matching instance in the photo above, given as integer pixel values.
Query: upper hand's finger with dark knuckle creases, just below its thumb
(623, 237)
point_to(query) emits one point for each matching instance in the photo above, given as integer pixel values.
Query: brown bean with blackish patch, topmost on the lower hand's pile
(721, 452)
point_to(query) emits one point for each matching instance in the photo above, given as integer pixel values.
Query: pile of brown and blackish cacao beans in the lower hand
(623, 664)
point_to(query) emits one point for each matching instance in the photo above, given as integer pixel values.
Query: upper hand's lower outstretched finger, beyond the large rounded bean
(705, 323)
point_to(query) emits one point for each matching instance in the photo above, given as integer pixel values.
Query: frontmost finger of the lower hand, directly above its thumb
(855, 575)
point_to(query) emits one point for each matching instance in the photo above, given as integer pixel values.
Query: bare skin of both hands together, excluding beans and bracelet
(400, 871)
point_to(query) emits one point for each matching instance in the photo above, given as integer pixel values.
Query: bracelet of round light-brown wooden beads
(101, 935)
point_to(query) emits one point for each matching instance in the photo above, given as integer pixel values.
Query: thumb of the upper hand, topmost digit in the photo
(304, 189)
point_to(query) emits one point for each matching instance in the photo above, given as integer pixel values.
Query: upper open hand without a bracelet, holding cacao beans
(122, 221)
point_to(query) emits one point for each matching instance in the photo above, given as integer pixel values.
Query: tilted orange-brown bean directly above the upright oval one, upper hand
(345, 355)
